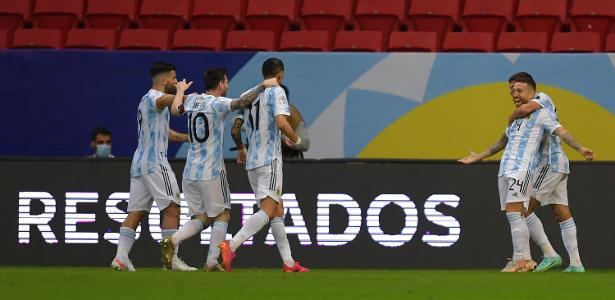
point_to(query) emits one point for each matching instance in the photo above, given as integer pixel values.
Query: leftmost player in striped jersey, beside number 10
(151, 176)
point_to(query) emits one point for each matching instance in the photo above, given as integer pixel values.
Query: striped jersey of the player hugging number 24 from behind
(551, 151)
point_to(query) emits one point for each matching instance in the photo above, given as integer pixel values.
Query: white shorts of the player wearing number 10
(209, 197)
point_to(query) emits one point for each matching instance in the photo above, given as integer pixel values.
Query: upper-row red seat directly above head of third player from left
(275, 16)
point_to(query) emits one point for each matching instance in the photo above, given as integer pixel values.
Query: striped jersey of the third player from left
(264, 137)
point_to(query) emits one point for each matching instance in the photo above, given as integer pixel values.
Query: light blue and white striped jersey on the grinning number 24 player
(524, 138)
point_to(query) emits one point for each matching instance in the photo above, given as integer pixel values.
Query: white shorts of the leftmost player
(160, 186)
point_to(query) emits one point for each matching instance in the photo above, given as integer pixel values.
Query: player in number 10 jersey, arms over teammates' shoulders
(204, 180)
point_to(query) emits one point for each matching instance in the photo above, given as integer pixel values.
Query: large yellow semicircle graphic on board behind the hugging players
(474, 118)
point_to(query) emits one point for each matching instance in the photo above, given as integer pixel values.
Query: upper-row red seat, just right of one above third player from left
(332, 16)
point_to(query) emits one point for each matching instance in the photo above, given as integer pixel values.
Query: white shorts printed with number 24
(514, 188)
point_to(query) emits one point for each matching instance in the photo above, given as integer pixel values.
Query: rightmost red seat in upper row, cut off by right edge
(593, 15)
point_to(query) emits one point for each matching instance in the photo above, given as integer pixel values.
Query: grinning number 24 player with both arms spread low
(522, 139)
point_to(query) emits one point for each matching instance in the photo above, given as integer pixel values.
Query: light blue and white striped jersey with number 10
(206, 115)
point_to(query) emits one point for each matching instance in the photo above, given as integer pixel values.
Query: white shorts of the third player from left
(266, 181)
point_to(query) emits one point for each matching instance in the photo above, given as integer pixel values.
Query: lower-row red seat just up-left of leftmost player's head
(143, 39)
